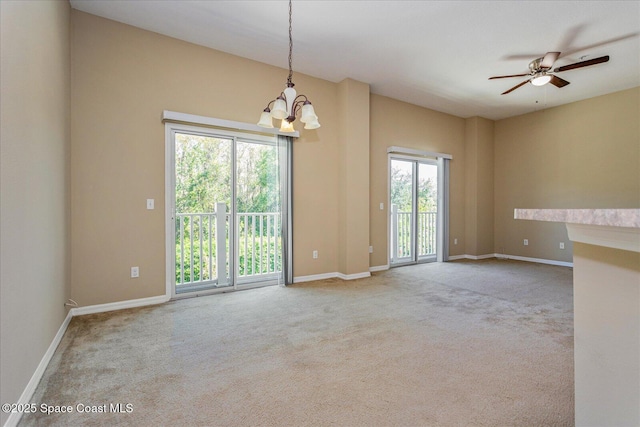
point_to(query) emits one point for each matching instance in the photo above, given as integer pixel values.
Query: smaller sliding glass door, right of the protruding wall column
(413, 210)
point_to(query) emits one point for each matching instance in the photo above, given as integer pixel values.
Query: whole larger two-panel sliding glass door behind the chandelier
(226, 224)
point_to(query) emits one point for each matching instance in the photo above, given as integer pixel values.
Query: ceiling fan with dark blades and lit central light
(540, 71)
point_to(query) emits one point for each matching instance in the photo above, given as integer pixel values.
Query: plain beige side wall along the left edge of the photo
(34, 123)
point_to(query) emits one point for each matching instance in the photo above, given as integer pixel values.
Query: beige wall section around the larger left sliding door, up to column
(123, 78)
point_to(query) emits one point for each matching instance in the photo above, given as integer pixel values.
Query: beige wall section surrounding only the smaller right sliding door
(398, 123)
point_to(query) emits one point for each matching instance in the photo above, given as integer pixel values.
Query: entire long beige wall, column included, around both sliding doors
(125, 77)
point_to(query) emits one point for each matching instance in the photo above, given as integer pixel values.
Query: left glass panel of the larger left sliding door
(202, 198)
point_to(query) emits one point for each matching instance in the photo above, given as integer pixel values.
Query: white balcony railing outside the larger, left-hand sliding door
(202, 247)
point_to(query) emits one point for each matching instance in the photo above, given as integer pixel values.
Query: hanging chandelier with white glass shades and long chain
(288, 104)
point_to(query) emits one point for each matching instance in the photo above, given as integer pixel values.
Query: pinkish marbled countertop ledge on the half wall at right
(628, 218)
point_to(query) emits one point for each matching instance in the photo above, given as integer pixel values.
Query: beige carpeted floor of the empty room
(466, 343)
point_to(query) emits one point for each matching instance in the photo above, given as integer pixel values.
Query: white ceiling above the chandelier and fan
(436, 54)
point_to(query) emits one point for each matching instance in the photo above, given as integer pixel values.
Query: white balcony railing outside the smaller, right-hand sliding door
(401, 236)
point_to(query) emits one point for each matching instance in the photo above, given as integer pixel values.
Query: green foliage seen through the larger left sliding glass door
(203, 178)
